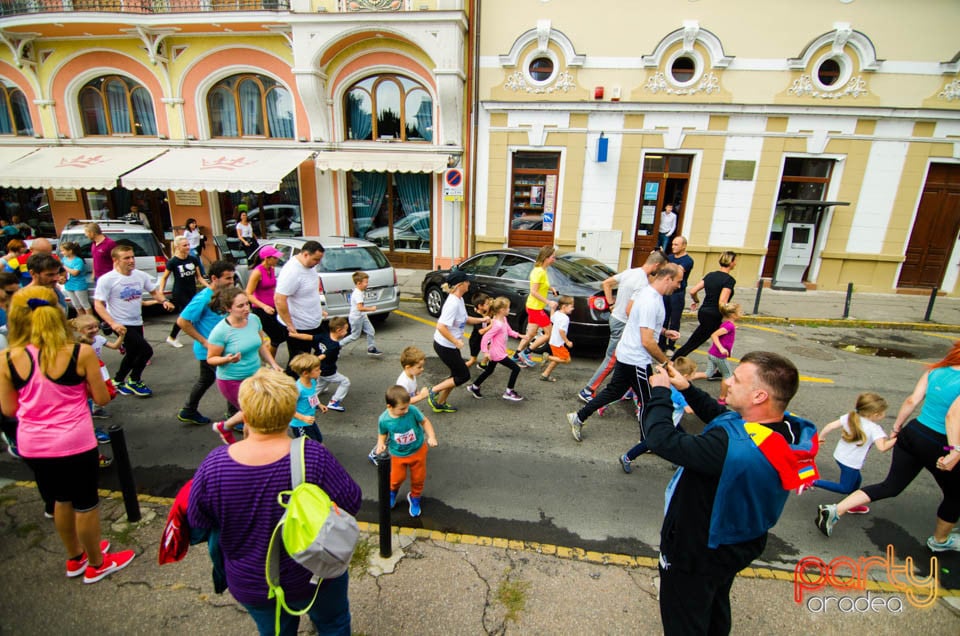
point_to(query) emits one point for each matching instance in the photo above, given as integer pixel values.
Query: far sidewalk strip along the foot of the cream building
(820, 307)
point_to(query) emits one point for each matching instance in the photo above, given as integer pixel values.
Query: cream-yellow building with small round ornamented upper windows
(588, 126)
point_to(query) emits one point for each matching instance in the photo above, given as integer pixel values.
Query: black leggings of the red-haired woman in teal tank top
(919, 447)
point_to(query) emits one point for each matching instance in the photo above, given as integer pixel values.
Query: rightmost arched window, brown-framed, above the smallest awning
(404, 110)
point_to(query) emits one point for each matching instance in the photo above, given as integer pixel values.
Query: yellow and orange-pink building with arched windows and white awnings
(322, 117)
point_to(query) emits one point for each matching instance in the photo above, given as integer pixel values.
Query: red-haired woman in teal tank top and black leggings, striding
(930, 441)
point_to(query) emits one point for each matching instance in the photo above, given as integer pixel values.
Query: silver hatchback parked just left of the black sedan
(343, 257)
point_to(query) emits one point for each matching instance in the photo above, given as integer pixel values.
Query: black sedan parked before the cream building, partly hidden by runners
(506, 272)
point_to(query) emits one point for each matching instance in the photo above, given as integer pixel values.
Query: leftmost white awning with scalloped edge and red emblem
(74, 167)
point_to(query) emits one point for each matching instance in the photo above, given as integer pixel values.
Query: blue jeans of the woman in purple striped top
(330, 614)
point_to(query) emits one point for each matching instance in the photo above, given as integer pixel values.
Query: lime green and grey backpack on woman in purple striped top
(316, 533)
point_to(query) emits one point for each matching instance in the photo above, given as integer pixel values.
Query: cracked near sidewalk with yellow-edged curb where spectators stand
(440, 584)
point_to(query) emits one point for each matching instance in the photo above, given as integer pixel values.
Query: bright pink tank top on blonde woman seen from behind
(53, 418)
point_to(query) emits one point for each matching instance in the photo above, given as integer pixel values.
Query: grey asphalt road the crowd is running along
(513, 470)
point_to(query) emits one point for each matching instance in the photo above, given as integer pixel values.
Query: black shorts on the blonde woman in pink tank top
(73, 479)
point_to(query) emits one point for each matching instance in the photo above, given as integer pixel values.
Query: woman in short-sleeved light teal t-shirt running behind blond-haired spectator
(233, 347)
